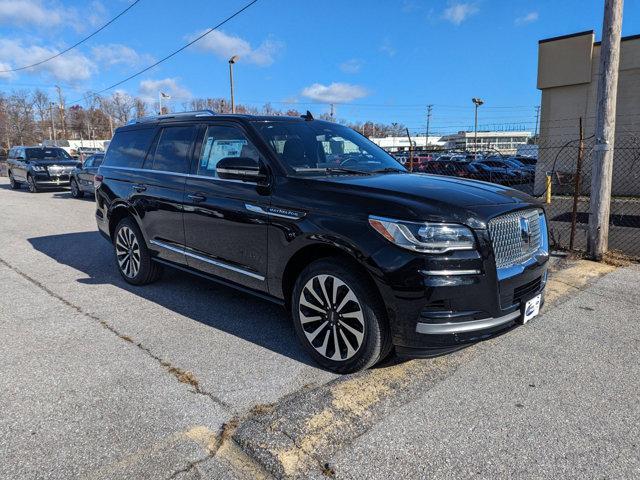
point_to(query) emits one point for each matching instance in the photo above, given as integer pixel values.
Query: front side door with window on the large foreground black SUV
(223, 236)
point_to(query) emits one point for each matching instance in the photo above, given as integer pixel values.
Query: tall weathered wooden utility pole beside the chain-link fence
(602, 170)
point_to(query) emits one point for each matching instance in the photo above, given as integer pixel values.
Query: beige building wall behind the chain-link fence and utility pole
(568, 77)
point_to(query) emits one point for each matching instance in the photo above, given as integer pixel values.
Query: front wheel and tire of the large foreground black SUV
(364, 319)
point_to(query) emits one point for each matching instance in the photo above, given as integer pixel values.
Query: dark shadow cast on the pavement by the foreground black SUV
(220, 307)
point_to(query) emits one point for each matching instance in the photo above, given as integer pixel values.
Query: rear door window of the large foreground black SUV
(173, 149)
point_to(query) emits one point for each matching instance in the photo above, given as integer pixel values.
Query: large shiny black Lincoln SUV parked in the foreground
(312, 215)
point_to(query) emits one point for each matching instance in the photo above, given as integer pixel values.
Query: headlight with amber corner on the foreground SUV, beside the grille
(425, 237)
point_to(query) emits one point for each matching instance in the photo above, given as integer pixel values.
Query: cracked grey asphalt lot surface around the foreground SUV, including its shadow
(185, 379)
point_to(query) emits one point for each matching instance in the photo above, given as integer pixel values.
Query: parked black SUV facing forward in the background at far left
(39, 167)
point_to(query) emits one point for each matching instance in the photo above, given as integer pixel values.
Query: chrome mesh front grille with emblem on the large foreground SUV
(513, 245)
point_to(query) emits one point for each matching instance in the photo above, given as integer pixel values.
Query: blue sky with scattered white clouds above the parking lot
(376, 60)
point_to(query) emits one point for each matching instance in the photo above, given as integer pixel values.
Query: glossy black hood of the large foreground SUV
(438, 189)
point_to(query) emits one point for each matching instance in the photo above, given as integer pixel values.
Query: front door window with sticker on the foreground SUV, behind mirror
(222, 142)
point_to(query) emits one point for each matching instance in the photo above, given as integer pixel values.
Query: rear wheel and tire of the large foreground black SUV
(127, 237)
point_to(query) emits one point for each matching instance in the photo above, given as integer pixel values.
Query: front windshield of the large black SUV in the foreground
(322, 148)
